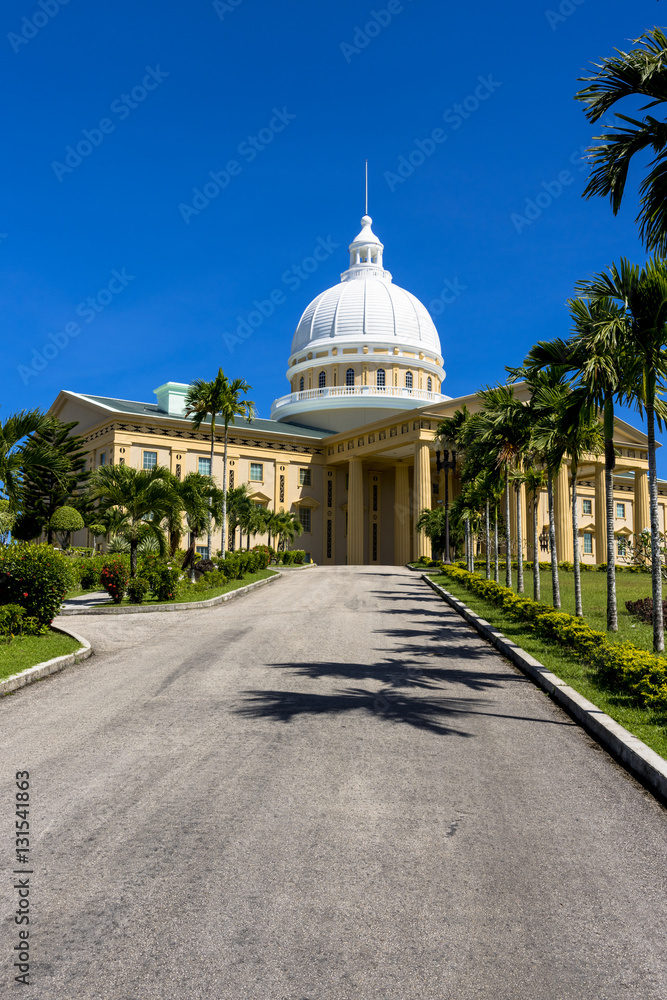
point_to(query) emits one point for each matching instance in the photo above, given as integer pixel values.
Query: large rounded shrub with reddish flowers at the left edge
(37, 577)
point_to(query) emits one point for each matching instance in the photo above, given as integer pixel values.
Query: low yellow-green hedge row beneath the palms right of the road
(622, 664)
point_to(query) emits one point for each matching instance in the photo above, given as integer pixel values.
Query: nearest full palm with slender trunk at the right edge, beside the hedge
(636, 330)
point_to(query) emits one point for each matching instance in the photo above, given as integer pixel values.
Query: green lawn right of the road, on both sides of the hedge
(651, 727)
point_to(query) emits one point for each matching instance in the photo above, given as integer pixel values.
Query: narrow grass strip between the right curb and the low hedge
(649, 725)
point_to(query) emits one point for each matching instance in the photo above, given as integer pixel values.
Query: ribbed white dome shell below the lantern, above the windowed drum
(369, 308)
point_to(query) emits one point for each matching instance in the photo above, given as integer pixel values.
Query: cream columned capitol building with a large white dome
(351, 447)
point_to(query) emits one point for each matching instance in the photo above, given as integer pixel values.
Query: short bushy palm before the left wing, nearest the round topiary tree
(144, 497)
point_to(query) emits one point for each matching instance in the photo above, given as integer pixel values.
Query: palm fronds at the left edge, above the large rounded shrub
(15, 457)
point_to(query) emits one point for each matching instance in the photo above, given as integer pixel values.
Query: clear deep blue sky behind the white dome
(169, 92)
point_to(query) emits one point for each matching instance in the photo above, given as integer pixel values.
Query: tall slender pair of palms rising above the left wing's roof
(205, 400)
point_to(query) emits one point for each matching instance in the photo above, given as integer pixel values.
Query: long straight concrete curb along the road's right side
(632, 752)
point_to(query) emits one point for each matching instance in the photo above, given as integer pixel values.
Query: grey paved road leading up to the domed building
(331, 789)
